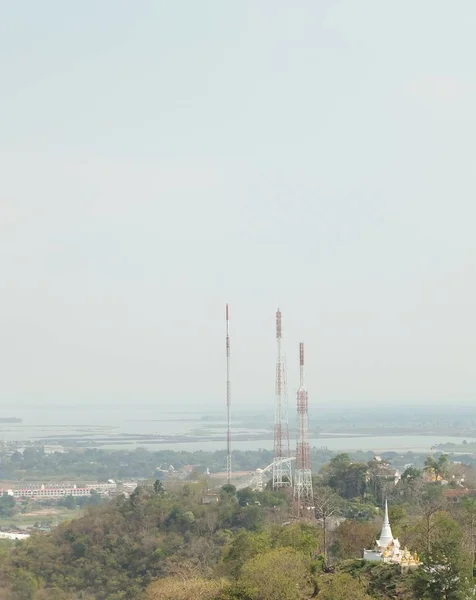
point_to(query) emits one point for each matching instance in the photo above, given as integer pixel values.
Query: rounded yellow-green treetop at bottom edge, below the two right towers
(281, 573)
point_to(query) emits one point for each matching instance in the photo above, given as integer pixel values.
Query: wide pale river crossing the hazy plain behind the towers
(109, 427)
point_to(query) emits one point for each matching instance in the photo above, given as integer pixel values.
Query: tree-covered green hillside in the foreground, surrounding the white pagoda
(168, 544)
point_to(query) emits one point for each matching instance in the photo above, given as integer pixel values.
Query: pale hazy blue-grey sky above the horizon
(159, 159)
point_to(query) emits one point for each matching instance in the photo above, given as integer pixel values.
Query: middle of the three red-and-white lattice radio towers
(282, 470)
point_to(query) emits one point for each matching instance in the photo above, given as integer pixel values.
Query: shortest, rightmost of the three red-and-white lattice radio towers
(302, 475)
